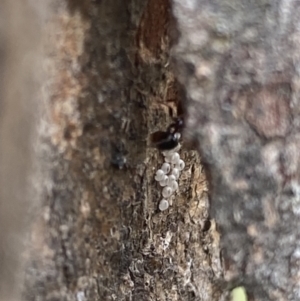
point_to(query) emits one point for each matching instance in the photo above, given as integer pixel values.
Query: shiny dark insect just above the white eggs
(169, 139)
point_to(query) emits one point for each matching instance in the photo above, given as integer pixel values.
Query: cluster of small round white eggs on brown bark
(168, 176)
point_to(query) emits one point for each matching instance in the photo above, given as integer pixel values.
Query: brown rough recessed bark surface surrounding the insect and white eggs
(98, 234)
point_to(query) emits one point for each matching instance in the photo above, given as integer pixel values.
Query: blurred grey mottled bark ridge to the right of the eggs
(239, 62)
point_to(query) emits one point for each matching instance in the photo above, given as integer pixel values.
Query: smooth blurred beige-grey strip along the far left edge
(19, 68)
